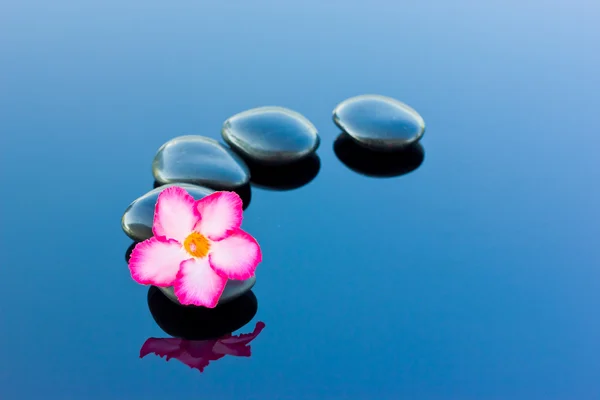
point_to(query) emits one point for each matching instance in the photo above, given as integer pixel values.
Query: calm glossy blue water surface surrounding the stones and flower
(475, 276)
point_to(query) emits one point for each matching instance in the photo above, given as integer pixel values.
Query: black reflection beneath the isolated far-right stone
(377, 164)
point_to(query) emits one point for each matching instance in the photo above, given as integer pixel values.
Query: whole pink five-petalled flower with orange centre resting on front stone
(196, 247)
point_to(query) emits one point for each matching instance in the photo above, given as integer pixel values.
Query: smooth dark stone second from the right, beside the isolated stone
(271, 135)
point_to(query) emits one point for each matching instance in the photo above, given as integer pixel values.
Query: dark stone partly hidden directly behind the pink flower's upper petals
(138, 217)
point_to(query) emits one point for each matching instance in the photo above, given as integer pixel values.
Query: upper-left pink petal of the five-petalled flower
(175, 214)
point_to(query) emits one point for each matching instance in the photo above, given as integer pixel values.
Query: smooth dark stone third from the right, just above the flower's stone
(201, 161)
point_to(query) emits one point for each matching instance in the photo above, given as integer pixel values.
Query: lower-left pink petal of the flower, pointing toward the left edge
(156, 261)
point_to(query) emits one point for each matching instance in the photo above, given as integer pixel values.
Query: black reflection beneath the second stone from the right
(284, 177)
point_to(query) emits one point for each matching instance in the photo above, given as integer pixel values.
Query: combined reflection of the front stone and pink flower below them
(201, 335)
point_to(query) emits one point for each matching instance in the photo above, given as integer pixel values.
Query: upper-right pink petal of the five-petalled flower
(220, 212)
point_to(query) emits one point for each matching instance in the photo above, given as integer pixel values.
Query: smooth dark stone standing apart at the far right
(379, 122)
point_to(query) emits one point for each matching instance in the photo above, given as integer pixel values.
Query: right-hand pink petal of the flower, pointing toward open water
(236, 256)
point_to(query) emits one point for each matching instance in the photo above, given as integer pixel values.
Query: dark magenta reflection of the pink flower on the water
(199, 353)
